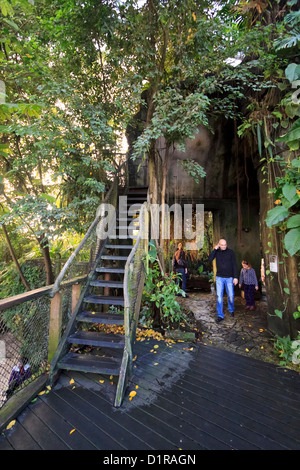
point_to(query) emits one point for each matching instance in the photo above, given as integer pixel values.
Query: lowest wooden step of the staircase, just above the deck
(90, 363)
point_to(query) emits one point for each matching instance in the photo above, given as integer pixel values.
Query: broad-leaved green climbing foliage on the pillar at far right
(285, 189)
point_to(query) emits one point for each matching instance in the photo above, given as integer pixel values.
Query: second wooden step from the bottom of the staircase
(93, 338)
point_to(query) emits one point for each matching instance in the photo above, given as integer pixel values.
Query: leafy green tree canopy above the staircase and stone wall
(76, 73)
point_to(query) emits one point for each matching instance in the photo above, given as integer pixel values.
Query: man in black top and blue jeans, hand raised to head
(227, 276)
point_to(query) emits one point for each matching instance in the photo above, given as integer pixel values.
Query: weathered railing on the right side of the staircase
(134, 278)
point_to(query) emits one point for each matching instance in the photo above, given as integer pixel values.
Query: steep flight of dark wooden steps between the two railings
(84, 346)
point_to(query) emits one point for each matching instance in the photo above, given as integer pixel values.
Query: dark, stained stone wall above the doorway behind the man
(217, 154)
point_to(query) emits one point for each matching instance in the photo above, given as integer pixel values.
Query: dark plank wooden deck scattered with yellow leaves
(189, 397)
